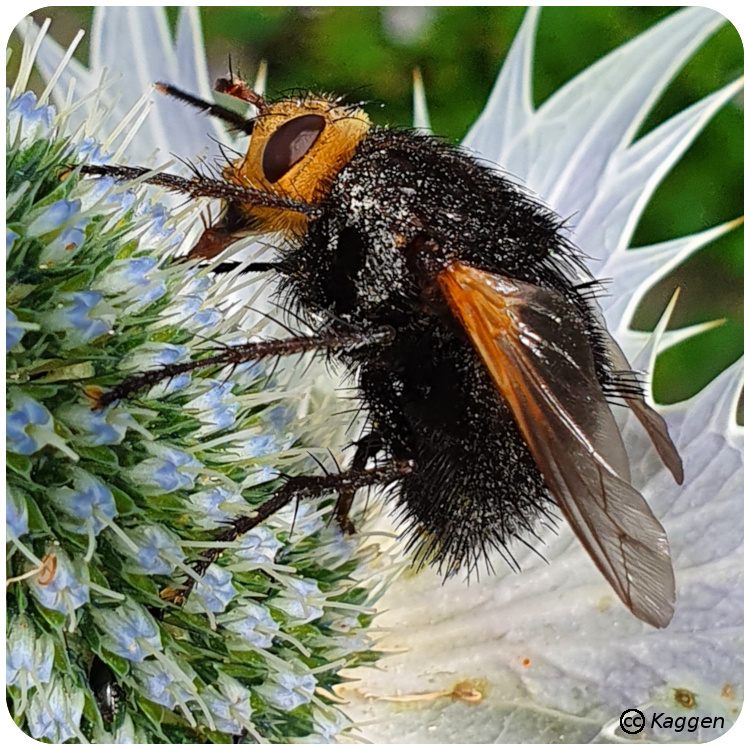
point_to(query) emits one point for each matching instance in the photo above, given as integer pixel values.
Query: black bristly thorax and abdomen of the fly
(403, 206)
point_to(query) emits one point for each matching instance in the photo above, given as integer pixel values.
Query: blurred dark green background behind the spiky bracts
(372, 51)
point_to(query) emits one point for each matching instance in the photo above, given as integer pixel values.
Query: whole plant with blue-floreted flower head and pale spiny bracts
(105, 509)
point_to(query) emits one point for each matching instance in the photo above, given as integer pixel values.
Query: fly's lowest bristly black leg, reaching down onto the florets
(294, 490)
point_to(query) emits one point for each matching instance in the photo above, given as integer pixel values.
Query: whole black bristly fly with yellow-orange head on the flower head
(485, 369)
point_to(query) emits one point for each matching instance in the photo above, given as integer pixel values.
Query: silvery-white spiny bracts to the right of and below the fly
(546, 655)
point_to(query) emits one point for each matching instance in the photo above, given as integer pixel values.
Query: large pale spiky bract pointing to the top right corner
(563, 152)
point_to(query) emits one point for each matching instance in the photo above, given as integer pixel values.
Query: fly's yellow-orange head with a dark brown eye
(297, 148)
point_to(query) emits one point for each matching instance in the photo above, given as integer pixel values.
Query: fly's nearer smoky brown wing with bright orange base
(542, 365)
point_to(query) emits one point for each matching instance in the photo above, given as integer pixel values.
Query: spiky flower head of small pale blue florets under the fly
(108, 508)
